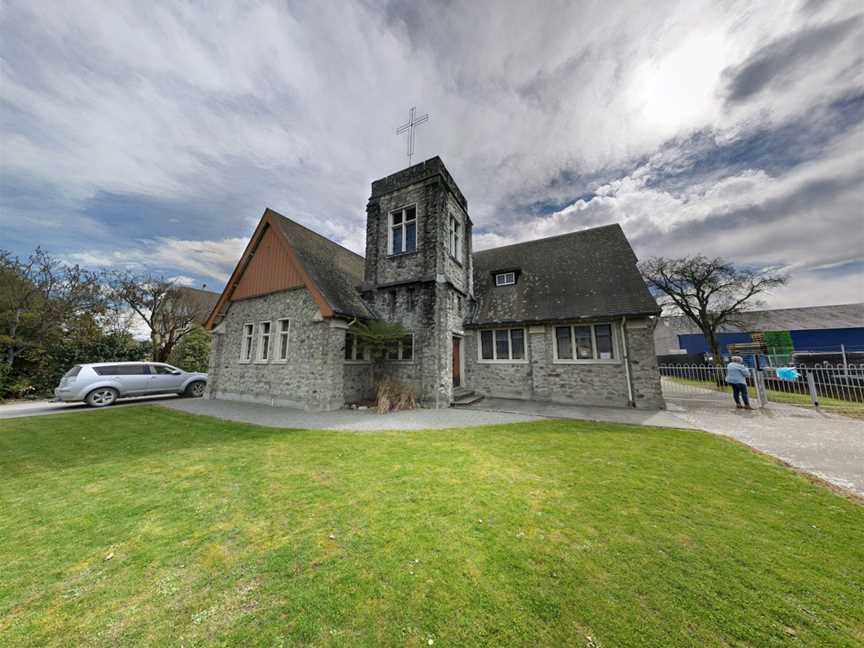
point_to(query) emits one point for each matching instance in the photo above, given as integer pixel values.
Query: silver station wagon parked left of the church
(102, 383)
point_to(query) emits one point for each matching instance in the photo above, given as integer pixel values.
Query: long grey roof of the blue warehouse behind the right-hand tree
(810, 318)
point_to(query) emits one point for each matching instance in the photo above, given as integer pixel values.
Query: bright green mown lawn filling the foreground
(144, 526)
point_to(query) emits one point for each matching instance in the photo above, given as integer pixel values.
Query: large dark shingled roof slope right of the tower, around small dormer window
(582, 275)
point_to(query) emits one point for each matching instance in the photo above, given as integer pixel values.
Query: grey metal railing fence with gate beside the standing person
(830, 386)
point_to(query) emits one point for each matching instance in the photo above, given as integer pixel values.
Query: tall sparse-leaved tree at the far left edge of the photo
(39, 294)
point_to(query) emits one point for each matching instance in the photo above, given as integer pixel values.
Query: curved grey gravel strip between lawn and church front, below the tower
(356, 420)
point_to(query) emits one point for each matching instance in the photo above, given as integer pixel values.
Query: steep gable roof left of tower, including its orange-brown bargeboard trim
(329, 271)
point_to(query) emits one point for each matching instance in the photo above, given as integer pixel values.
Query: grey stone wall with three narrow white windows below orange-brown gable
(313, 375)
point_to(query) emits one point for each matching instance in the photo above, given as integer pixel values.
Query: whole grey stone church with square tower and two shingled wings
(566, 318)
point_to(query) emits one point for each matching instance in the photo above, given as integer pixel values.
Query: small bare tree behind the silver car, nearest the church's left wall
(166, 309)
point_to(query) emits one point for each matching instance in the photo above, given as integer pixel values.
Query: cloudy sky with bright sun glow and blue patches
(153, 135)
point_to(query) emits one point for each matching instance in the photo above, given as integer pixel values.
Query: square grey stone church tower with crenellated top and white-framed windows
(418, 272)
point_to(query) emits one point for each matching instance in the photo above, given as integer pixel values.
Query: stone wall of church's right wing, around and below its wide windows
(589, 383)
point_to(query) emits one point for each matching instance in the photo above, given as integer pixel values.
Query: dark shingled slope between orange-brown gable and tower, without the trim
(336, 271)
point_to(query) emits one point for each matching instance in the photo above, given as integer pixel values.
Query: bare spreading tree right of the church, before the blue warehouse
(710, 292)
